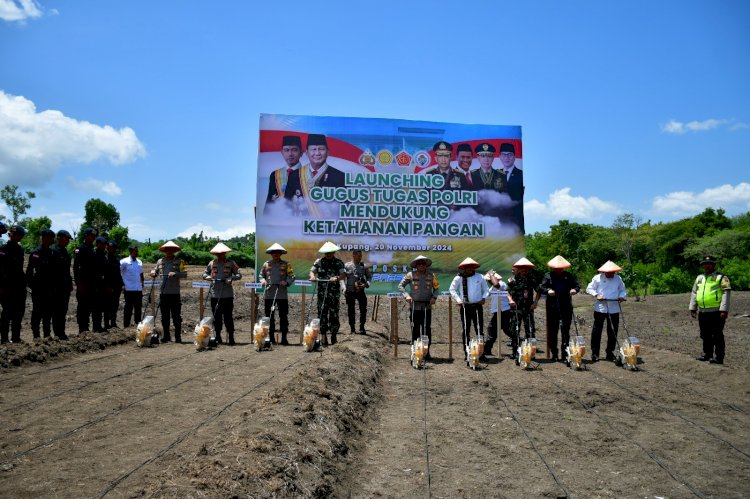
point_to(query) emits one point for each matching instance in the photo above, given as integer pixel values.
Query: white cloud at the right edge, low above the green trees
(687, 203)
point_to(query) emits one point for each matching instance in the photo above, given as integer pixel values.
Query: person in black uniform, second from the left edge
(40, 278)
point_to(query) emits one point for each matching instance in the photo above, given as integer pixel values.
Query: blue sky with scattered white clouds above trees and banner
(640, 106)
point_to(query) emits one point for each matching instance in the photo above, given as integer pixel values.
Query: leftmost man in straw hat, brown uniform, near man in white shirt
(170, 269)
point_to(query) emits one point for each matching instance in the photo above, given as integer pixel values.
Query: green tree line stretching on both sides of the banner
(659, 258)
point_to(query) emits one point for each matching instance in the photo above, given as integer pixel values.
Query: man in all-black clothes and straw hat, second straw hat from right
(559, 286)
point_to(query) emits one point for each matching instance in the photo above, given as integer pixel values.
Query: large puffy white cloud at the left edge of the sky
(34, 144)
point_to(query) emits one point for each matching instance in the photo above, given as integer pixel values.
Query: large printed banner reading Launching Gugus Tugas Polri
(395, 189)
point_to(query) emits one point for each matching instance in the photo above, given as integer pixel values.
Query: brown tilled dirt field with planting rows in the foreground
(96, 416)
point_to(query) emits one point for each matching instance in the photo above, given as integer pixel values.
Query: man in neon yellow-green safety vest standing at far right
(709, 301)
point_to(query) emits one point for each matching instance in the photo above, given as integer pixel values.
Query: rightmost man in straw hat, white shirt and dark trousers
(609, 291)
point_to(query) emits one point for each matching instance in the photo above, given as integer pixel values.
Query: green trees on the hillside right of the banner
(661, 258)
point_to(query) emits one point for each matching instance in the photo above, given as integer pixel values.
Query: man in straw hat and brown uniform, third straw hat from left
(276, 275)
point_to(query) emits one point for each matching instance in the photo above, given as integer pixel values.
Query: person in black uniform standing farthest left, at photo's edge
(12, 285)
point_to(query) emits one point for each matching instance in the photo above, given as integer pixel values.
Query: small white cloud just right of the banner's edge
(561, 205)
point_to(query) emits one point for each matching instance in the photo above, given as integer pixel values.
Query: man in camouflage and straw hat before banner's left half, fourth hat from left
(328, 271)
